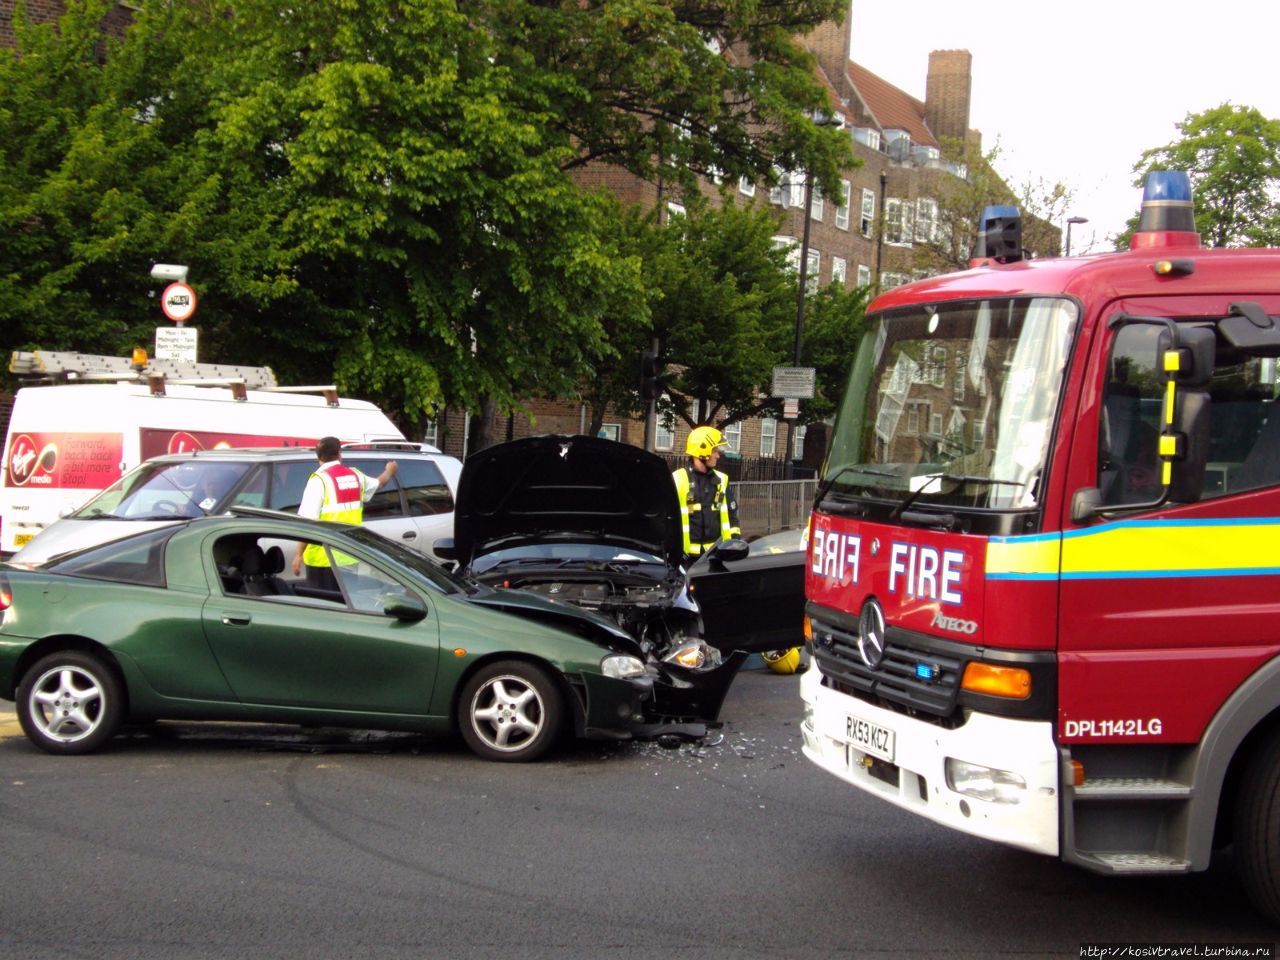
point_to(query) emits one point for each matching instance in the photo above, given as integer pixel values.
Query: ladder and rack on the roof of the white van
(57, 367)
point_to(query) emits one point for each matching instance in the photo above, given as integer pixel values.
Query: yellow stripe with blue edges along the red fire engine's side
(1142, 550)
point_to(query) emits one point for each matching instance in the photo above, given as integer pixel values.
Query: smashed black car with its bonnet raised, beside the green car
(596, 524)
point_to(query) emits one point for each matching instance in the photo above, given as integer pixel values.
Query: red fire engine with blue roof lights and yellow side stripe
(1044, 578)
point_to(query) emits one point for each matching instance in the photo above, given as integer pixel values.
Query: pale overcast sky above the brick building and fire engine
(1075, 93)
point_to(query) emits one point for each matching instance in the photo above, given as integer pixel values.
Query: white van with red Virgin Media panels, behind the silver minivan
(66, 444)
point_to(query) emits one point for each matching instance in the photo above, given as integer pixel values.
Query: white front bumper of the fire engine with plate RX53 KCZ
(993, 778)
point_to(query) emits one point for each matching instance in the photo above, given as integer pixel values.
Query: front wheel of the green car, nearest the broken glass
(511, 712)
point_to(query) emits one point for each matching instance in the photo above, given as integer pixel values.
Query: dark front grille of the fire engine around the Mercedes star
(912, 678)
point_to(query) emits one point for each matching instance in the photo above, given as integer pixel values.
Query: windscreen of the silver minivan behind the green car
(189, 488)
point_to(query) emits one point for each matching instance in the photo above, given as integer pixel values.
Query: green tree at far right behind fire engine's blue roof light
(1232, 156)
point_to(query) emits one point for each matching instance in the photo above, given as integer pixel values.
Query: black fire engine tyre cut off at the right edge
(1258, 828)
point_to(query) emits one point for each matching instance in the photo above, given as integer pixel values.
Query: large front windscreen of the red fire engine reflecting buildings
(953, 404)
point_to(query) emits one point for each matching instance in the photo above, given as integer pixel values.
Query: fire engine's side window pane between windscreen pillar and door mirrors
(1128, 436)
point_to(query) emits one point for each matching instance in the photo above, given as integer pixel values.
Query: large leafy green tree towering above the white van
(380, 190)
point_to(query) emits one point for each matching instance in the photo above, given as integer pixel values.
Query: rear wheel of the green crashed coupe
(70, 703)
